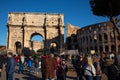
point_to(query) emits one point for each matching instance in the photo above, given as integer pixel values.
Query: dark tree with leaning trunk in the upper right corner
(107, 8)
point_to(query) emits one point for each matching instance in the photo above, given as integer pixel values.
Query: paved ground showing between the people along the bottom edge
(70, 76)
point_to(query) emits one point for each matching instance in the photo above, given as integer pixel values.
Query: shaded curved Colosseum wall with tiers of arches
(98, 37)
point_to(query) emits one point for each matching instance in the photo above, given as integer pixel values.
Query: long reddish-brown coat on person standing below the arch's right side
(50, 66)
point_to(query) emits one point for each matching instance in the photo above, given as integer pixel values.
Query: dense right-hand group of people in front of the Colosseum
(93, 67)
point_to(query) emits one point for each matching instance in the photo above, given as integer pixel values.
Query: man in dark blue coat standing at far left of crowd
(10, 66)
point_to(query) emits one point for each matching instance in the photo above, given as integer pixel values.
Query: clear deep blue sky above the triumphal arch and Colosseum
(76, 12)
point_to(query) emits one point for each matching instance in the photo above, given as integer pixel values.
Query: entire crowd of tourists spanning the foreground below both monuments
(54, 67)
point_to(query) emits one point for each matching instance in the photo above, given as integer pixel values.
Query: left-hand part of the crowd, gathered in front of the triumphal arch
(47, 64)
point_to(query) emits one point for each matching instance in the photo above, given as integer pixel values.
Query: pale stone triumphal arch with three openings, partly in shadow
(22, 26)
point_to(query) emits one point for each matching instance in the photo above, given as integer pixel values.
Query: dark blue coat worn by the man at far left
(10, 67)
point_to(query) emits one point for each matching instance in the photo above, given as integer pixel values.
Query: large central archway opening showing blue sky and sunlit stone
(37, 42)
